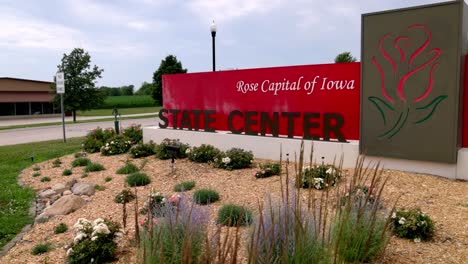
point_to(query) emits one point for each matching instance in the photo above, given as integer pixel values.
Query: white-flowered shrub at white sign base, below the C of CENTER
(233, 159)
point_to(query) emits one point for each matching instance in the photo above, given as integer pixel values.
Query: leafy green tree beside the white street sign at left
(80, 91)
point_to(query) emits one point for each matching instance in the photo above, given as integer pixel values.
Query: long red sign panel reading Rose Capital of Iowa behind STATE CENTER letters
(318, 102)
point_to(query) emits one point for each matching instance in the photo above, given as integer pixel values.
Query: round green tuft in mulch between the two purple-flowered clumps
(234, 215)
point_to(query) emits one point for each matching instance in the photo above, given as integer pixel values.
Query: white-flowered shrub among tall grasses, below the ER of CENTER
(320, 176)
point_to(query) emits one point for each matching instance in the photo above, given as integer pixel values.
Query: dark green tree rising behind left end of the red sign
(170, 65)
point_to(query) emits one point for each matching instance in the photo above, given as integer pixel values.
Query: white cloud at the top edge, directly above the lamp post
(226, 10)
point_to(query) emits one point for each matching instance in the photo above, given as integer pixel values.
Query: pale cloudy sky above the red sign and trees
(129, 38)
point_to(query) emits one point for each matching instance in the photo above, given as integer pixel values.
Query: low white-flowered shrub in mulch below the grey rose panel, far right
(412, 224)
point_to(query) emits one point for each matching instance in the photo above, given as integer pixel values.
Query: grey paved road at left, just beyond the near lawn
(34, 134)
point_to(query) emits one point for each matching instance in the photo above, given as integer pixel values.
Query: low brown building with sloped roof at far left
(25, 97)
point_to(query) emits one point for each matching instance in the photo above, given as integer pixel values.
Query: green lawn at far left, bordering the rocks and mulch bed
(15, 201)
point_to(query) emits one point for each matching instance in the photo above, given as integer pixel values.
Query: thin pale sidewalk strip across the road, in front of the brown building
(39, 120)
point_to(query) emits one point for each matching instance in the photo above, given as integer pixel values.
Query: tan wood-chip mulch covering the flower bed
(446, 201)
